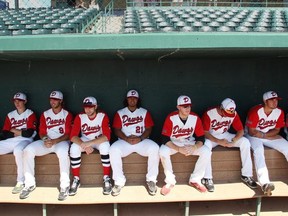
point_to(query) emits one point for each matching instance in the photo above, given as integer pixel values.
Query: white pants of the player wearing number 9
(38, 148)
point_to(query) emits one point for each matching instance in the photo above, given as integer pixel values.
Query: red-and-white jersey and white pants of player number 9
(54, 126)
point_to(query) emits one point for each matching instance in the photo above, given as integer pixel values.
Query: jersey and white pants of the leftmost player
(23, 121)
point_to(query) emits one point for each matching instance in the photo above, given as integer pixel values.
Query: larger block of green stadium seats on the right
(206, 20)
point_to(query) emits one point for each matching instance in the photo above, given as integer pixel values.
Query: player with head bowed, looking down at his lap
(216, 123)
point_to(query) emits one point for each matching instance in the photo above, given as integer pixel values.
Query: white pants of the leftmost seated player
(16, 145)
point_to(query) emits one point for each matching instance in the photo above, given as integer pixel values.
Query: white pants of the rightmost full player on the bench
(257, 145)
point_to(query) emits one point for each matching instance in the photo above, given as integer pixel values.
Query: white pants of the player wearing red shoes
(204, 159)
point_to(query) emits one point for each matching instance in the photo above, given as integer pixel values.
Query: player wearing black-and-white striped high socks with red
(95, 134)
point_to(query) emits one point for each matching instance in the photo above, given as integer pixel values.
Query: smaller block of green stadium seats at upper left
(45, 21)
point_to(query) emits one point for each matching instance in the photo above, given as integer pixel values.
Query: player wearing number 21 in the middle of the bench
(133, 125)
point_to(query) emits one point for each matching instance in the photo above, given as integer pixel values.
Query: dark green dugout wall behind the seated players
(206, 81)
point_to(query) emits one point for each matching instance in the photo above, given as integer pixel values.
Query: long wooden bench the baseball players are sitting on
(226, 171)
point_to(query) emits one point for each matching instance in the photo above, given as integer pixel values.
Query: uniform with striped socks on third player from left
(90, 129)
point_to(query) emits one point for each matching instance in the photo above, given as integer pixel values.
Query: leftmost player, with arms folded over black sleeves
(18, 131)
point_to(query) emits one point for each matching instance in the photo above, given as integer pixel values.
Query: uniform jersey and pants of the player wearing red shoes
(182, 134)
